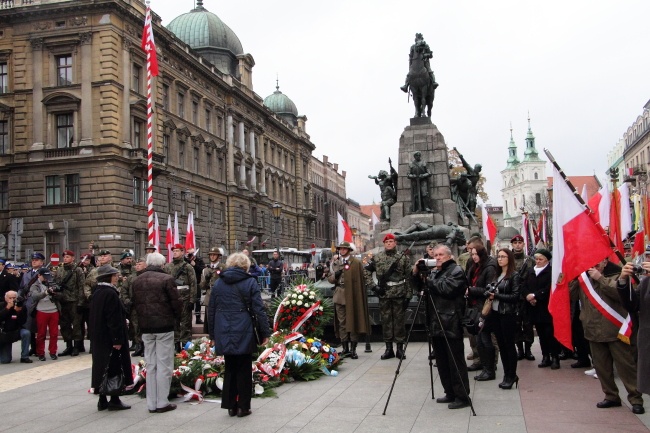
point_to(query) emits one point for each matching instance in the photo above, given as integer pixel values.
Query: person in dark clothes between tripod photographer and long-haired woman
(481, 271)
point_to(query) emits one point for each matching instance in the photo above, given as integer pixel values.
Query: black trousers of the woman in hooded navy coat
(237, 382)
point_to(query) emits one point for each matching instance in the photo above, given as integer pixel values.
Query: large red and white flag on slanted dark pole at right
(572, 226)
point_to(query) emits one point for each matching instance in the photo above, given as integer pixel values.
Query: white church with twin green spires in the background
(524, 184)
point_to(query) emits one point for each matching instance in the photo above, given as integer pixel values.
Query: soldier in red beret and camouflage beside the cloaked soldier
(393, 273)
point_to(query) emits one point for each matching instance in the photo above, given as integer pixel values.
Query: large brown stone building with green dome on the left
(73, 138)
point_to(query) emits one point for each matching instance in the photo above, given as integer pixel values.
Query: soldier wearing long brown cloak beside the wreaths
(350, 300)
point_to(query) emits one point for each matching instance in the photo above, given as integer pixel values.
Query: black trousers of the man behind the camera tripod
(453, 385)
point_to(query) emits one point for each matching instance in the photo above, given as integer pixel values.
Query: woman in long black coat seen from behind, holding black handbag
(108, 333)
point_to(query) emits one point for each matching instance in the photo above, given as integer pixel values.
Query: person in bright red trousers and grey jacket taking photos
(43, 293)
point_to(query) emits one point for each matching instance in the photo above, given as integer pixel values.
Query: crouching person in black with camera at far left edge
(13, 316)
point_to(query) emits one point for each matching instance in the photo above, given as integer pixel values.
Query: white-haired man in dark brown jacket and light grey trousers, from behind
(155, 299)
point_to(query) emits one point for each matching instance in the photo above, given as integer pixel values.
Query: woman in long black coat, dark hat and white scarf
(537, 292)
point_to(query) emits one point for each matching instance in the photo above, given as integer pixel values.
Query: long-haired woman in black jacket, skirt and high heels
(502, 320)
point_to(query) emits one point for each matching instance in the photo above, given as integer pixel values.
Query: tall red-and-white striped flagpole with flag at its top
(149, 46)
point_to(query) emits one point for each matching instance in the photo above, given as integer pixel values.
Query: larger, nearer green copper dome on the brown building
(207, 34)
